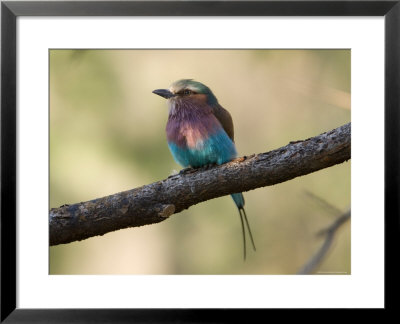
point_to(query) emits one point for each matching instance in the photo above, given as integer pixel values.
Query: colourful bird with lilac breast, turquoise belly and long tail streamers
(200, 133)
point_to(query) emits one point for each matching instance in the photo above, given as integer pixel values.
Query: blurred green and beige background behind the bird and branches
(107, 134)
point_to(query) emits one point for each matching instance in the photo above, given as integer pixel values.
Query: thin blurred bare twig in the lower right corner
(329, 233)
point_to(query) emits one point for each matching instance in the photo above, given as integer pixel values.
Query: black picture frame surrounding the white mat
(10, 10)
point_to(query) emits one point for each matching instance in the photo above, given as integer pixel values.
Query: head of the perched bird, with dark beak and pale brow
(188, 90)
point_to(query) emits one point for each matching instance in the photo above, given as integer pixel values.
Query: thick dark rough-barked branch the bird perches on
(155, 202)
